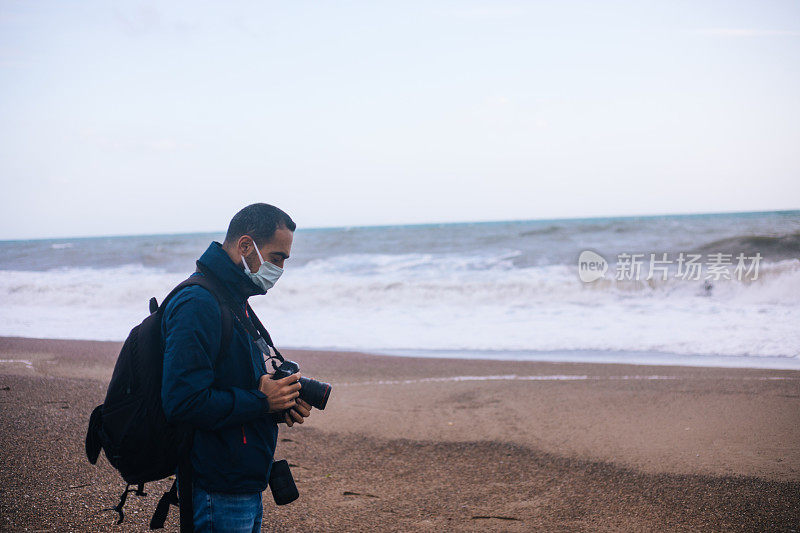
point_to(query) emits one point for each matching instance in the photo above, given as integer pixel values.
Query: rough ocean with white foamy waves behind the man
(492, 290)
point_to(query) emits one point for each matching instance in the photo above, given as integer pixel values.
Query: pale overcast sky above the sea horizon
(137, 117)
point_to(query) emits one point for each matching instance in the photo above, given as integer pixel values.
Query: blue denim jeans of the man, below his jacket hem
(220, 512)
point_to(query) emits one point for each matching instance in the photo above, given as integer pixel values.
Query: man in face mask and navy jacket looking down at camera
(224, 392)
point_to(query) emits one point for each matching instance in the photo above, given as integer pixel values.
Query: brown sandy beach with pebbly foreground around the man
(412, 444)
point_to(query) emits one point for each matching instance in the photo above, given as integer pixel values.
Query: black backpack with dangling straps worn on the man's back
(130, 425)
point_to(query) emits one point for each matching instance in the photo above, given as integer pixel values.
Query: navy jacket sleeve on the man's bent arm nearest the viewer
(192, 332)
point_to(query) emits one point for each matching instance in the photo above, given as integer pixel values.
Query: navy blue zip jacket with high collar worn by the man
(235, 435)
